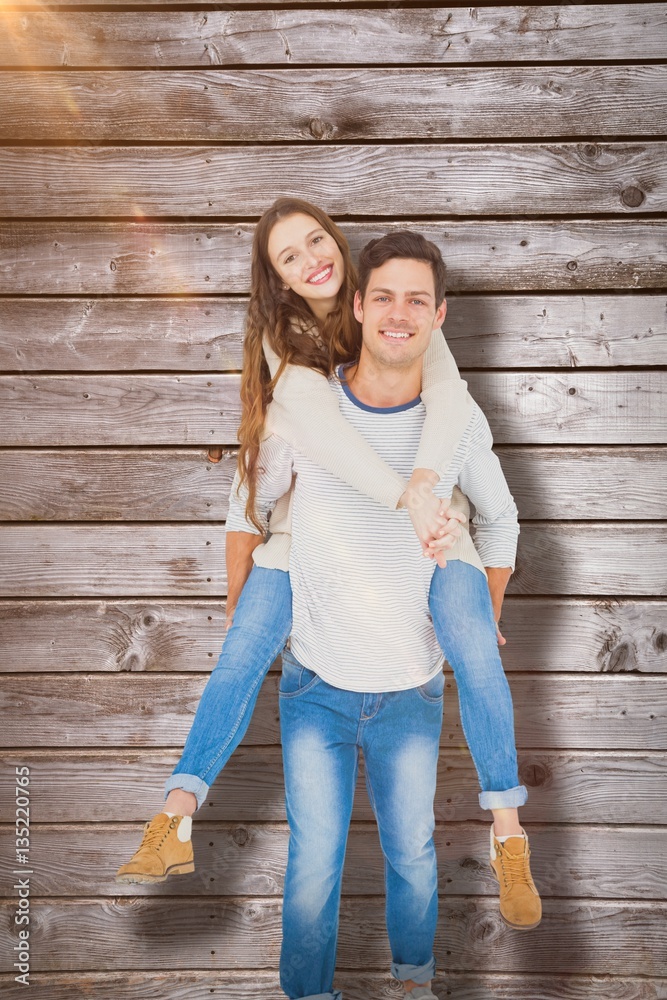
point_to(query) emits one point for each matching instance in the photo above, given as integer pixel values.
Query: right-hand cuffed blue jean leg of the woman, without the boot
(462, 614)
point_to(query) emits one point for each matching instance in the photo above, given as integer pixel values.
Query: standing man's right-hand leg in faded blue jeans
(400, 742)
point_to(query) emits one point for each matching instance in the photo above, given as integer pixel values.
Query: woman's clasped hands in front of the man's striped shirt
(436, 523)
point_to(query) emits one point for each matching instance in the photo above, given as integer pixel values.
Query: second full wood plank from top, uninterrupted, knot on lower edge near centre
(283, 105)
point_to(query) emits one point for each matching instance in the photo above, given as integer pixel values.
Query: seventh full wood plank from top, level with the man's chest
(179, 484)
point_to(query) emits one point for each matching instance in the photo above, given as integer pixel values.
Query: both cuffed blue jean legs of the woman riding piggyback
(462, 615)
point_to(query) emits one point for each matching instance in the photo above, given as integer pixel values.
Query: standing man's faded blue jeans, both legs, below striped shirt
(323, 728)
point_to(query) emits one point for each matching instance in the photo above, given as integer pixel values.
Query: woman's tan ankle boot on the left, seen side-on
(166, 849)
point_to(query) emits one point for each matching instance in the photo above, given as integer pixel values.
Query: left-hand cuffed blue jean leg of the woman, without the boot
(261, 627)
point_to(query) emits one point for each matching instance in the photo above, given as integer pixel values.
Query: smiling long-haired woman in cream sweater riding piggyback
(300, 327)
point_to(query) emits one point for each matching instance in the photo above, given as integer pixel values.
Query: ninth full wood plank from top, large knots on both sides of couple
(543, 634)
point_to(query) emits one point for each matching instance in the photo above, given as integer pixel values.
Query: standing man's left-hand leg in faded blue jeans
(318, 730)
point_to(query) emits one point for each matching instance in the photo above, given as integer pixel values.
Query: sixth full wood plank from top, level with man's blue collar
(522, 408)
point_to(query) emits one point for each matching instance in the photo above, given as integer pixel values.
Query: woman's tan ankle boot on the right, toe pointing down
(520, 904)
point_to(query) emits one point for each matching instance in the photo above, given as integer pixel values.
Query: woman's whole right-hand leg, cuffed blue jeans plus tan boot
(462, 614)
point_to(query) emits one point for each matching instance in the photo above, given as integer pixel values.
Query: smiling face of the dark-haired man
(399, 312)
